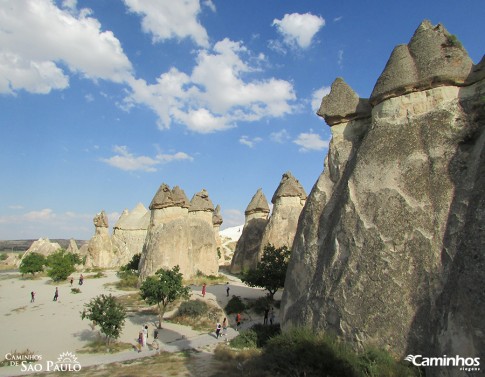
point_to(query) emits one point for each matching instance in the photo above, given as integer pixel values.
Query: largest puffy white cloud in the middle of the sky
(215, 96)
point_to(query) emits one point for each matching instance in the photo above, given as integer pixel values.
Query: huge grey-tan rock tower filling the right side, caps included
(390, 245)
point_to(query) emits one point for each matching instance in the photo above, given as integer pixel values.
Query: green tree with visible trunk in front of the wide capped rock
(163, 288)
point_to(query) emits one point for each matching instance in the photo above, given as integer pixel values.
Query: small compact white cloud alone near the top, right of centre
(299, 29)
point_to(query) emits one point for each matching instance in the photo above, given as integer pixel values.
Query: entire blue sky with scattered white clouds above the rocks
(102, 101)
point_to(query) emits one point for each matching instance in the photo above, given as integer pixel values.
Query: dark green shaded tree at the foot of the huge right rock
(270, 273)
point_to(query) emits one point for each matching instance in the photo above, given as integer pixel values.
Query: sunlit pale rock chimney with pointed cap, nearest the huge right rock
(288, 201)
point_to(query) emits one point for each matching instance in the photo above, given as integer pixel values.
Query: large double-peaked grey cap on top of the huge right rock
(433, 57)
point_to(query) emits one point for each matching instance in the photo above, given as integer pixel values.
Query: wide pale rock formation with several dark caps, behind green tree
(180, 233)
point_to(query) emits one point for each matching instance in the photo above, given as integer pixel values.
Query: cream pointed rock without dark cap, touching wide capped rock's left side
(129, 233)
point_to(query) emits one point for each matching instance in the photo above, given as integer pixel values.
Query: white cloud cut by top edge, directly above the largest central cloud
(167, 19)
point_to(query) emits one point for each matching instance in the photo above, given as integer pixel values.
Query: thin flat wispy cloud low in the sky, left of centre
(125, 160)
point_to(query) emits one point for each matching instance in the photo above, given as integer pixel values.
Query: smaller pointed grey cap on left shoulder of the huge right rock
(342, 104)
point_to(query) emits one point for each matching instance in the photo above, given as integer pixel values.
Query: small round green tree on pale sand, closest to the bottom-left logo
(107, 313)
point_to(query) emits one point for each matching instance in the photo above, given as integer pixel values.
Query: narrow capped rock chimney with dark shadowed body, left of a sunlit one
(248, 247)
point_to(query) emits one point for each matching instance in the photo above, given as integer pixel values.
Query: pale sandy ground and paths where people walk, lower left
(50, 328)
